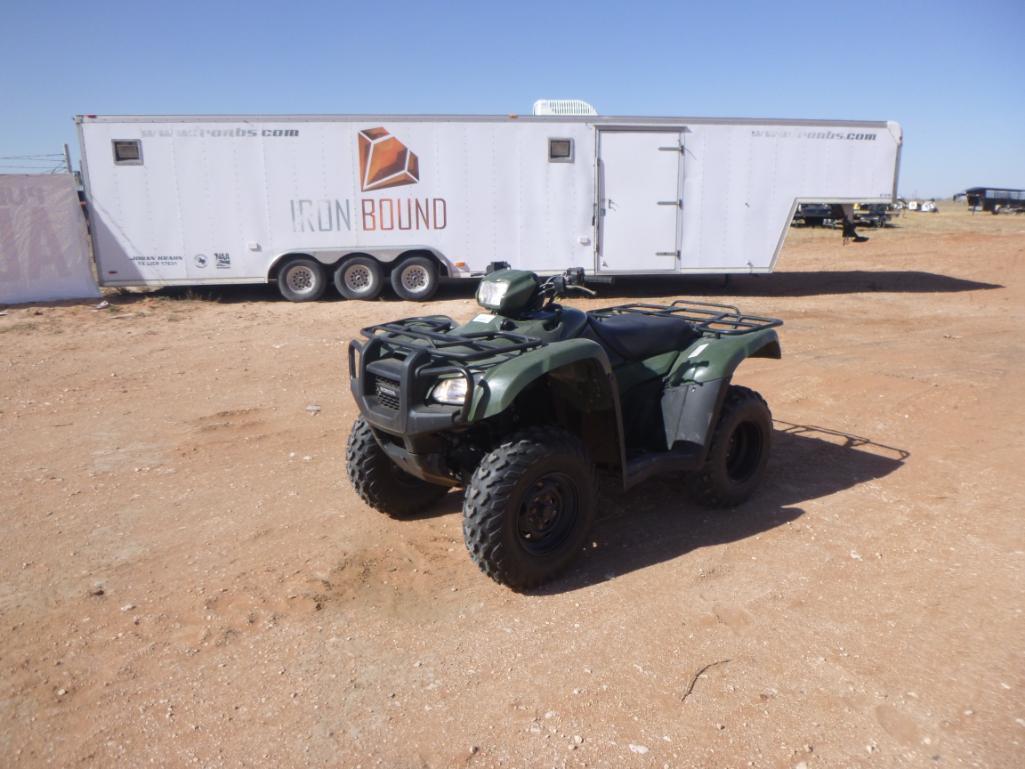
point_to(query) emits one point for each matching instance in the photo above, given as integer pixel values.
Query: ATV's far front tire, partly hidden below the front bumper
(382, 483)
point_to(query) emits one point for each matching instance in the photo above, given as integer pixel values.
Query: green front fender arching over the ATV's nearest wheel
(501, 387)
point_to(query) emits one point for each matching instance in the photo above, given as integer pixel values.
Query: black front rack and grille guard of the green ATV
(401, 361)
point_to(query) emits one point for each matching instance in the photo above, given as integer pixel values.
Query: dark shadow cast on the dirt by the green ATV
(653, 523)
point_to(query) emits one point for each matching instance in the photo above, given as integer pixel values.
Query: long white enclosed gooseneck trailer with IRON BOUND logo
(304, 199)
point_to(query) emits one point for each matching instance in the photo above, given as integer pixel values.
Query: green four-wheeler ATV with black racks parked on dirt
(524, 403)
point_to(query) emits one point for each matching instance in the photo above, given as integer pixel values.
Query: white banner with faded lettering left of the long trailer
(45, 251)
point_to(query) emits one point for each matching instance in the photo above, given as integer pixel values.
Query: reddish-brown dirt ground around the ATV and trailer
(188, 579)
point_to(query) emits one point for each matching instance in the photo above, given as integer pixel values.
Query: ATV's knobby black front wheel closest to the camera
(529, 507)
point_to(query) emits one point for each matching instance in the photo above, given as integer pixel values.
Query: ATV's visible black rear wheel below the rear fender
(739, 454)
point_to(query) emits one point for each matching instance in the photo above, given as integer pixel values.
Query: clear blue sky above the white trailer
(950, 72)
